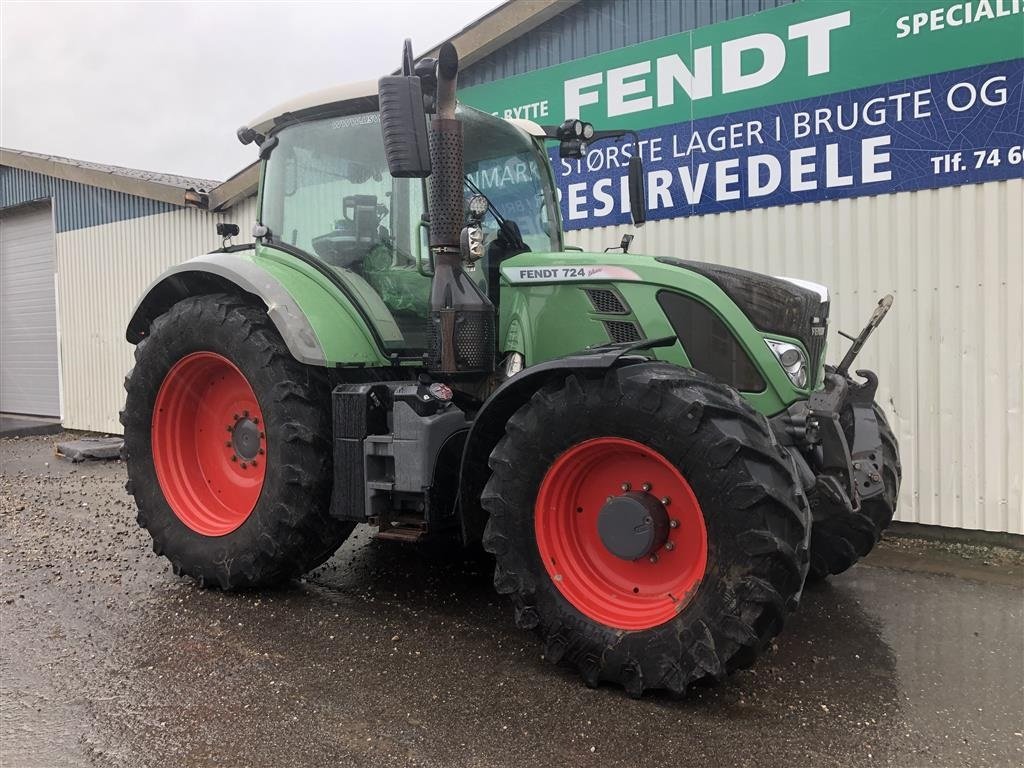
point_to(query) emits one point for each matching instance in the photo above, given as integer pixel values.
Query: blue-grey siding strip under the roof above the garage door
(76, 205)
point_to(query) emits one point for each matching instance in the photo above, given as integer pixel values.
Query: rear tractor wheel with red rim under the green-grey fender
(205, 365)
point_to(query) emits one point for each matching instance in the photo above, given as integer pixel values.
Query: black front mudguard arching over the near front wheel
(489, 425)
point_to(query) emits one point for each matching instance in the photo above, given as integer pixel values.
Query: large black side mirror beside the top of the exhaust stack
(404, 121)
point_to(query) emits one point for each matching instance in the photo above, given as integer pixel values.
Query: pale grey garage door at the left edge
(28, 314)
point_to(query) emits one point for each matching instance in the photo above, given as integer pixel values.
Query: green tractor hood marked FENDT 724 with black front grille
(627, 297)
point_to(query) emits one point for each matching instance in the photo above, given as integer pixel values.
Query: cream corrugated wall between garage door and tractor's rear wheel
(102, 274)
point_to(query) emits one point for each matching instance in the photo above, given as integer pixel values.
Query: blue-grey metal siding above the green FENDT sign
(599, 26)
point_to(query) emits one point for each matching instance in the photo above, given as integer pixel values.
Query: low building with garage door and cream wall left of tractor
(79, 244)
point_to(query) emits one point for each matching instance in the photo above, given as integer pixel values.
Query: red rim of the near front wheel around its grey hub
(625, 594)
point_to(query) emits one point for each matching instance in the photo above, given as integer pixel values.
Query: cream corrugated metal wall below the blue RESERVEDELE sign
(950, 355)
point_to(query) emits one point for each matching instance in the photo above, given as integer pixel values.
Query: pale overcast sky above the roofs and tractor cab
(164, 86)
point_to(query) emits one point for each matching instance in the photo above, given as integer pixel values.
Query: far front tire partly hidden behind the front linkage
(840, 538)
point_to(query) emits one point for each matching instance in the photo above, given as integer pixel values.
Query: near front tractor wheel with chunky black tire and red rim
(750, 508)
